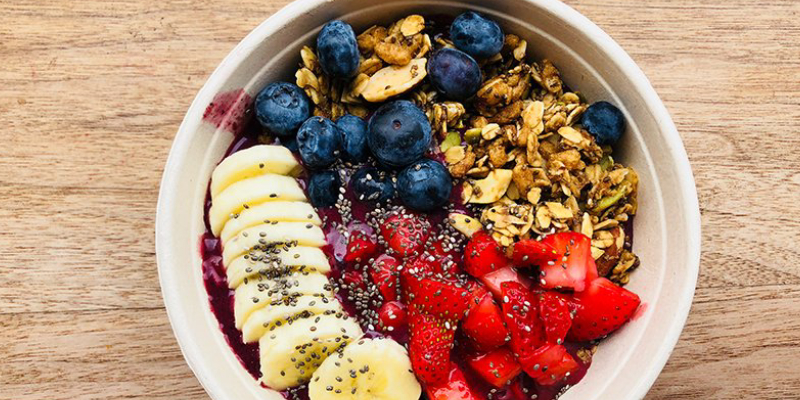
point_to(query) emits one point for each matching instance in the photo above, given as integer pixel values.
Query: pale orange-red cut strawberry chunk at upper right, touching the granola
(574, 268)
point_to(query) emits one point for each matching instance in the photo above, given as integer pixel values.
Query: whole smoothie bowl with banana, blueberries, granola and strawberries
(435, 200)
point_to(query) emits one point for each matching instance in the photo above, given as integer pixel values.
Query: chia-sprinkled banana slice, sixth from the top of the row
(260, 292)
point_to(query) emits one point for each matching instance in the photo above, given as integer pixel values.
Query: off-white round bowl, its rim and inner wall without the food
(667, 227)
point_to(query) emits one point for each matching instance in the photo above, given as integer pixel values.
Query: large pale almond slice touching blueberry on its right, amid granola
(394, 80)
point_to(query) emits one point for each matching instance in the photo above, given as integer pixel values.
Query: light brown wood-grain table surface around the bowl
(92, 93)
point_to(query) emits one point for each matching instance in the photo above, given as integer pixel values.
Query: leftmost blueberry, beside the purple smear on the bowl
(281, 107)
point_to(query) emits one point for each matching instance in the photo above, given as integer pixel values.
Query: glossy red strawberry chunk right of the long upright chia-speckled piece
(484, 325)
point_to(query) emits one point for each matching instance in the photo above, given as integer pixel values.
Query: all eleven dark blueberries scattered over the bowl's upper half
(398, 133)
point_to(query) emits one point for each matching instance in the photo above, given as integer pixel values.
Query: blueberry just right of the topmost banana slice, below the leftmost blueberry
(318, 141)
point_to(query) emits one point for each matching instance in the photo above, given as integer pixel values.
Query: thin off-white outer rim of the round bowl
(165, 254)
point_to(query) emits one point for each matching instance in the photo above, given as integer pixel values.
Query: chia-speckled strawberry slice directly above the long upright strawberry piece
(443, 299)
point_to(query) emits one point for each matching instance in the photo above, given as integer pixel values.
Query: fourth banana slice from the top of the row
(265, 236)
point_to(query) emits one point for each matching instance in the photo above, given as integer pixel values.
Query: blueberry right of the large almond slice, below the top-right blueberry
(454, 73)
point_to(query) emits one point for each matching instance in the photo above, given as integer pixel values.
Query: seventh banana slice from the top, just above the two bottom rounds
(287, 312)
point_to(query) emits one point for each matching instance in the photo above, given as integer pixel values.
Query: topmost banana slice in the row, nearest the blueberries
(257, 160)
